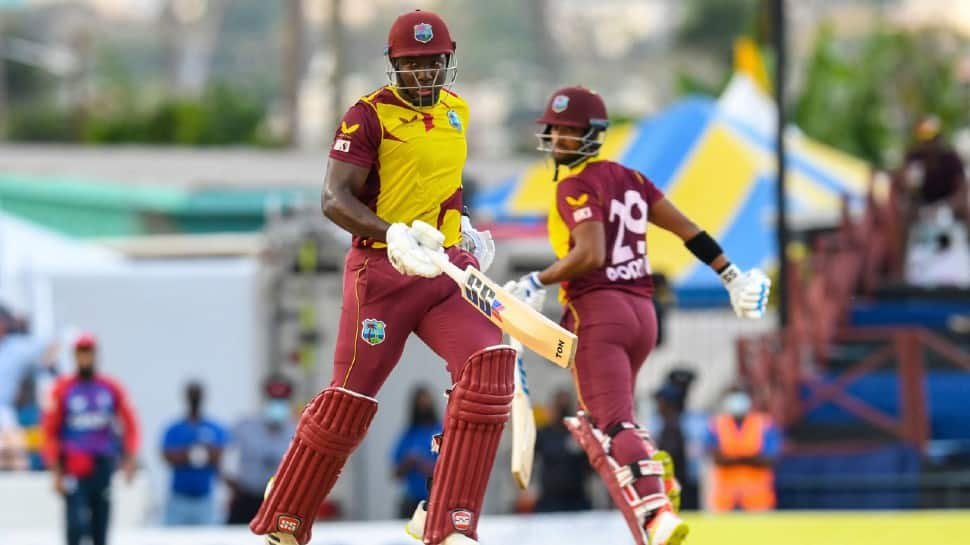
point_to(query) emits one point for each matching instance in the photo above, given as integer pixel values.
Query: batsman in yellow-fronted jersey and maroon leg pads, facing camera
(397, 158)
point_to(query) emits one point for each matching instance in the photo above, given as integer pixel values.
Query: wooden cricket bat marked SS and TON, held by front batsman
(511, 314)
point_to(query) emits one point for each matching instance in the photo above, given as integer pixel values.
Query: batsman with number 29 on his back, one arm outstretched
(597, 227)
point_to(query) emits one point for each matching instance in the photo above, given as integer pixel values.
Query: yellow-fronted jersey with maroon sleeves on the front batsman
(415, 156)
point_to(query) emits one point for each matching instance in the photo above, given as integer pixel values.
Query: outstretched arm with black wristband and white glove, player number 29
(748, 290)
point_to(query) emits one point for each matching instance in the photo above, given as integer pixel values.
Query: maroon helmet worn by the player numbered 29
(576, 107)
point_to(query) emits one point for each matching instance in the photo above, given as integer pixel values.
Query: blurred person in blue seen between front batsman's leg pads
(413, 460)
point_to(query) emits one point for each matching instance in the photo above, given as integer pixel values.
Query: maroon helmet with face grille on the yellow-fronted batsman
(421, 34)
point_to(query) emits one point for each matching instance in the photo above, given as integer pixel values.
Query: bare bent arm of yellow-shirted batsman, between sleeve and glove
(344, 182)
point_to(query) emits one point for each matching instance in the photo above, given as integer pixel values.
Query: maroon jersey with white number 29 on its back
(620, 198)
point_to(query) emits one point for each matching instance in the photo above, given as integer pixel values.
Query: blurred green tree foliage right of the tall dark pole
(863, 94)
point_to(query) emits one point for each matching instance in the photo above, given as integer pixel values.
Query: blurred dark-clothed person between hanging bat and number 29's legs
(563, 468)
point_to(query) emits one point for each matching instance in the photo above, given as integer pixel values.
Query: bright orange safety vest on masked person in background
(751, 488)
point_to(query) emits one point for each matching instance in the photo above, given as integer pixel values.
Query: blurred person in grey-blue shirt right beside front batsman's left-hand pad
(259, 443)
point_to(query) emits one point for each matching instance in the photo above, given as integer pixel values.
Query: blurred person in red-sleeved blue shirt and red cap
(88, 428)
